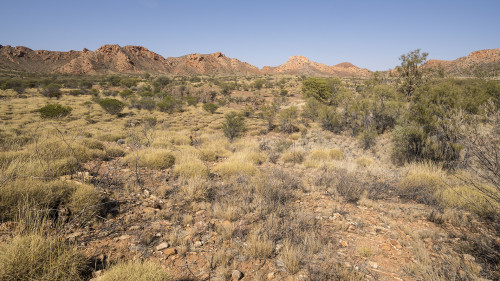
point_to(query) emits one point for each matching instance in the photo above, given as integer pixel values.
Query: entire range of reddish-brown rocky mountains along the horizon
(110, 59)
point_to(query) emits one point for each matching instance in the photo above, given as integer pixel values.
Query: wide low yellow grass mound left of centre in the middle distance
(150, 158)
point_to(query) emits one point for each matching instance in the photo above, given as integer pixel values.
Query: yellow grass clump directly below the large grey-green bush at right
(422, 182)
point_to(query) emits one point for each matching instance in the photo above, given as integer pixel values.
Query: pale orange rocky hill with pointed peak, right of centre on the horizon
(302, 66)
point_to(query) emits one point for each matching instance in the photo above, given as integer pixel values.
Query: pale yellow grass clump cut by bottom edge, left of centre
(136, 270)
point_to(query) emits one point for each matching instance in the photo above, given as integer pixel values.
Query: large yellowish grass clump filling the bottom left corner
(35, 257)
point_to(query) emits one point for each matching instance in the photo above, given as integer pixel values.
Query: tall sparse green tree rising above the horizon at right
(410, 71)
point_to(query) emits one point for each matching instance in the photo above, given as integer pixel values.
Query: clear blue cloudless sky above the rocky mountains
(370, 34)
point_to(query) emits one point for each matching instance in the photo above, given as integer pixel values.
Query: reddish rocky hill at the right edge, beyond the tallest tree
(485, 62)
